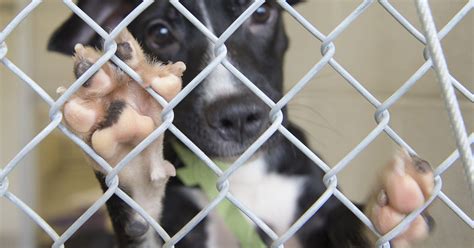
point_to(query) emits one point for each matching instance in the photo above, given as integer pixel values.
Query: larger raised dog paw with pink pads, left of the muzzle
(113, 113)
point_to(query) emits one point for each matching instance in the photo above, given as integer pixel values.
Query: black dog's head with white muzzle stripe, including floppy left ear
(221, 116)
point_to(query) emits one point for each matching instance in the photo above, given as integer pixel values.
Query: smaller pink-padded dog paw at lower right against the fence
(406, 183)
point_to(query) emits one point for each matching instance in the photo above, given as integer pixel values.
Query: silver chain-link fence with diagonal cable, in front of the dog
(434, 61)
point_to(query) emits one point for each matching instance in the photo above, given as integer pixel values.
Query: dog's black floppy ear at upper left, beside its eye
(107, 13)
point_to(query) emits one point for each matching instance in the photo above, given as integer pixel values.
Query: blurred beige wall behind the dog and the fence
(375, 49)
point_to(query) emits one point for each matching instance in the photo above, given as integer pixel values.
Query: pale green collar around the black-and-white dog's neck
(196, 173)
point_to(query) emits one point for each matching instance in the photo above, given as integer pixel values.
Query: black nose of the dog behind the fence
(238, 119)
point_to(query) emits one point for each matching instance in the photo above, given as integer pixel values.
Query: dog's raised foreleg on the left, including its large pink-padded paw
(113, 114)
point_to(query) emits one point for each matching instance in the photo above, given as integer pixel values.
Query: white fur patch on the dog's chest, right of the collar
(272, 197)
